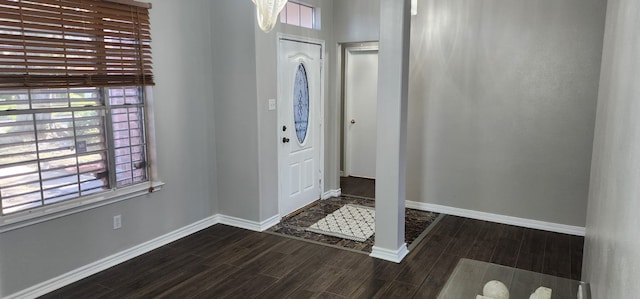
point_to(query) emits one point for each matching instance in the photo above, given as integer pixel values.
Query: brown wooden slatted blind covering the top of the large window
(74, 44)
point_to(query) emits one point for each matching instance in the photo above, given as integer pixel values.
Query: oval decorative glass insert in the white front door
(301, 103)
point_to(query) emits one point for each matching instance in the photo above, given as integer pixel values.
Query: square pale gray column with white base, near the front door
(393, 73)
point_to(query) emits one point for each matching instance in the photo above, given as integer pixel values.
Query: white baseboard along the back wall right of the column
(523, 222)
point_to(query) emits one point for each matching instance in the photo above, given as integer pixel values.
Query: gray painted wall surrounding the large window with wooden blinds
(184, 129)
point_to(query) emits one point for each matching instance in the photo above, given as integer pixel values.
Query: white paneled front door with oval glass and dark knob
(299, 124)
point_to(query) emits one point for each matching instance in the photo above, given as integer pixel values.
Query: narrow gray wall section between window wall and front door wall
(235, 111)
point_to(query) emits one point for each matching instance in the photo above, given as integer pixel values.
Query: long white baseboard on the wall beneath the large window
(110, 261)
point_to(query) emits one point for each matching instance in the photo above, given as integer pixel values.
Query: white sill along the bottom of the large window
(46, 213)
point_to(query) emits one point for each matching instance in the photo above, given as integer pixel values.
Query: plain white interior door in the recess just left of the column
(361, 97)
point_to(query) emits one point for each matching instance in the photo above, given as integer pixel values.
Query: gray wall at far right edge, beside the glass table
(612, 263)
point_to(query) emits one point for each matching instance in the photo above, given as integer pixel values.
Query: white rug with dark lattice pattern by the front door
(351, 222)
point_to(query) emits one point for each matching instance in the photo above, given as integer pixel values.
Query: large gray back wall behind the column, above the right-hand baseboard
(502, 102)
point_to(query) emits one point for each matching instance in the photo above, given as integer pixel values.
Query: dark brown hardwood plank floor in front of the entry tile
(227, 262)
